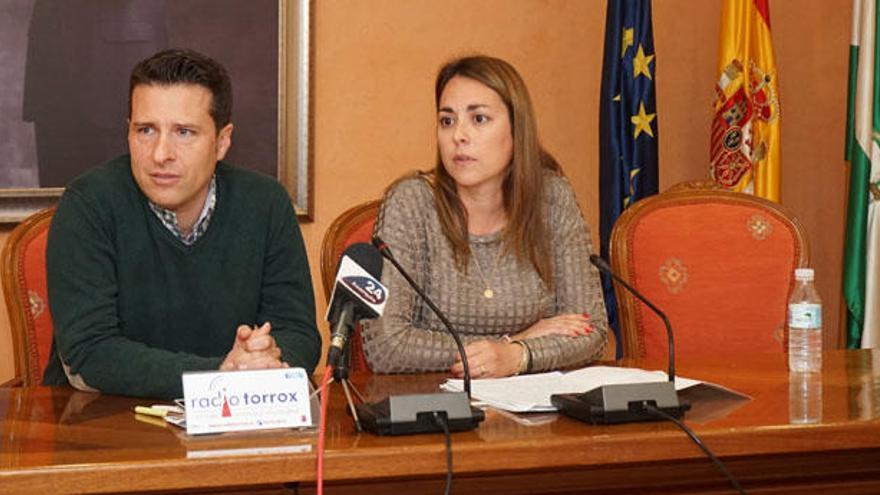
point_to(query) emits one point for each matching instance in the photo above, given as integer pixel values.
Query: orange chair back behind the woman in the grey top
(352, 226)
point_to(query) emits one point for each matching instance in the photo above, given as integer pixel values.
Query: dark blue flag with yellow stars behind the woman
(627, 124)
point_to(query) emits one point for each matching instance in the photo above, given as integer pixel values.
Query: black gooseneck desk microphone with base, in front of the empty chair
(624, 403)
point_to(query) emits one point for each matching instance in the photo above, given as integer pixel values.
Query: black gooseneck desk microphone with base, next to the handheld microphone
(416, 413)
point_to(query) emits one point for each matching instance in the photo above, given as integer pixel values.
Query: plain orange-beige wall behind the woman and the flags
(374, 64)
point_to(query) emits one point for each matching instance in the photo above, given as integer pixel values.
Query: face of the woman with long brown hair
(474, 135)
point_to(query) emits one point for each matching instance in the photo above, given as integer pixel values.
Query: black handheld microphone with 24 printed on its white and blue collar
(357, 295)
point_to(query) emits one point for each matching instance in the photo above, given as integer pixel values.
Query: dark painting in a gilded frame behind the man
(64, 86)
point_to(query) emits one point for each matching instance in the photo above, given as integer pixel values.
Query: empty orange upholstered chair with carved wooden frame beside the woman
(720, 264)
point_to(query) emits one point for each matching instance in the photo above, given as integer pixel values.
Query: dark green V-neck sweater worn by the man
(134, 307)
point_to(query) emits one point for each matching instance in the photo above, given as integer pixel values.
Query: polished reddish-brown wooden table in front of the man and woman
(55, 440)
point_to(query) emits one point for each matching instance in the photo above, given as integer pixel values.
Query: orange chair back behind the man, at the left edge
(26, 294)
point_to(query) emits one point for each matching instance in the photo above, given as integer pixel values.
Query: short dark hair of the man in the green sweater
(177, 66)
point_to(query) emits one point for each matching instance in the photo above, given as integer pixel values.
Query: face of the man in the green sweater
(175, 146)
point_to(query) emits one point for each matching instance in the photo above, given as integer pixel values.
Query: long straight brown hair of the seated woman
(523, 188)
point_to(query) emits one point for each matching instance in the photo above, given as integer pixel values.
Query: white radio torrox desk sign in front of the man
(218, 401)
